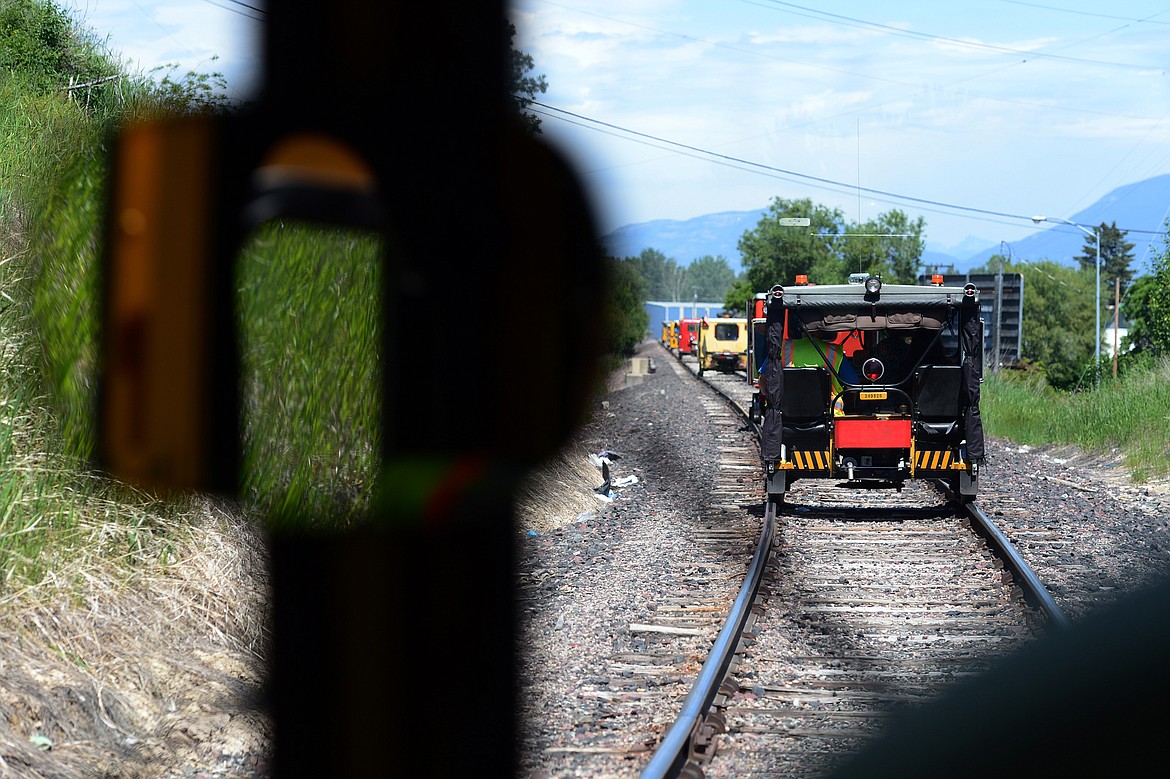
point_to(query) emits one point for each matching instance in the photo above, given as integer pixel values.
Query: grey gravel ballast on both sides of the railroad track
(589, 569)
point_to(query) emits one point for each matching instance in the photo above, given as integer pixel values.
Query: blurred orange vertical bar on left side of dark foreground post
(156, 415)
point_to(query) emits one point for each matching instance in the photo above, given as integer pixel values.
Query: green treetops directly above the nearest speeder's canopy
(830, 249)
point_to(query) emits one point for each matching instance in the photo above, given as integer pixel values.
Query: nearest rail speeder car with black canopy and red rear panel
(897, 405)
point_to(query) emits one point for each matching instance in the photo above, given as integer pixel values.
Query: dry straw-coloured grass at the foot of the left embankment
(133, 668)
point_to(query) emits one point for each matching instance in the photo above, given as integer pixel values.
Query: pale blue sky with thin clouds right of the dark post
(1002, 106)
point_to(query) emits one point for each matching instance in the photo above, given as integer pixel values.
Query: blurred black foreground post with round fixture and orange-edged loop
(394, 642)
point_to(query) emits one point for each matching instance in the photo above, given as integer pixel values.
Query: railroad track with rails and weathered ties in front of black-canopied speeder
(870, 603)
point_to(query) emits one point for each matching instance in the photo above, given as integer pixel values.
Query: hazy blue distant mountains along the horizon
(1144, 205)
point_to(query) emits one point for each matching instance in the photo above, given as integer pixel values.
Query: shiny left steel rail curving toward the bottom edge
(675, 753)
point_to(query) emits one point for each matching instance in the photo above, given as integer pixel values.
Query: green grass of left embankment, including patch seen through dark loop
(307, 305)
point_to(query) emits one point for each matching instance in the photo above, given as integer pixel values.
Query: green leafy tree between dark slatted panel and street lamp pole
(1058, 321)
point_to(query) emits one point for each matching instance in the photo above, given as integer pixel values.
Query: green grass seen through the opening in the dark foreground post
(309, 319)
